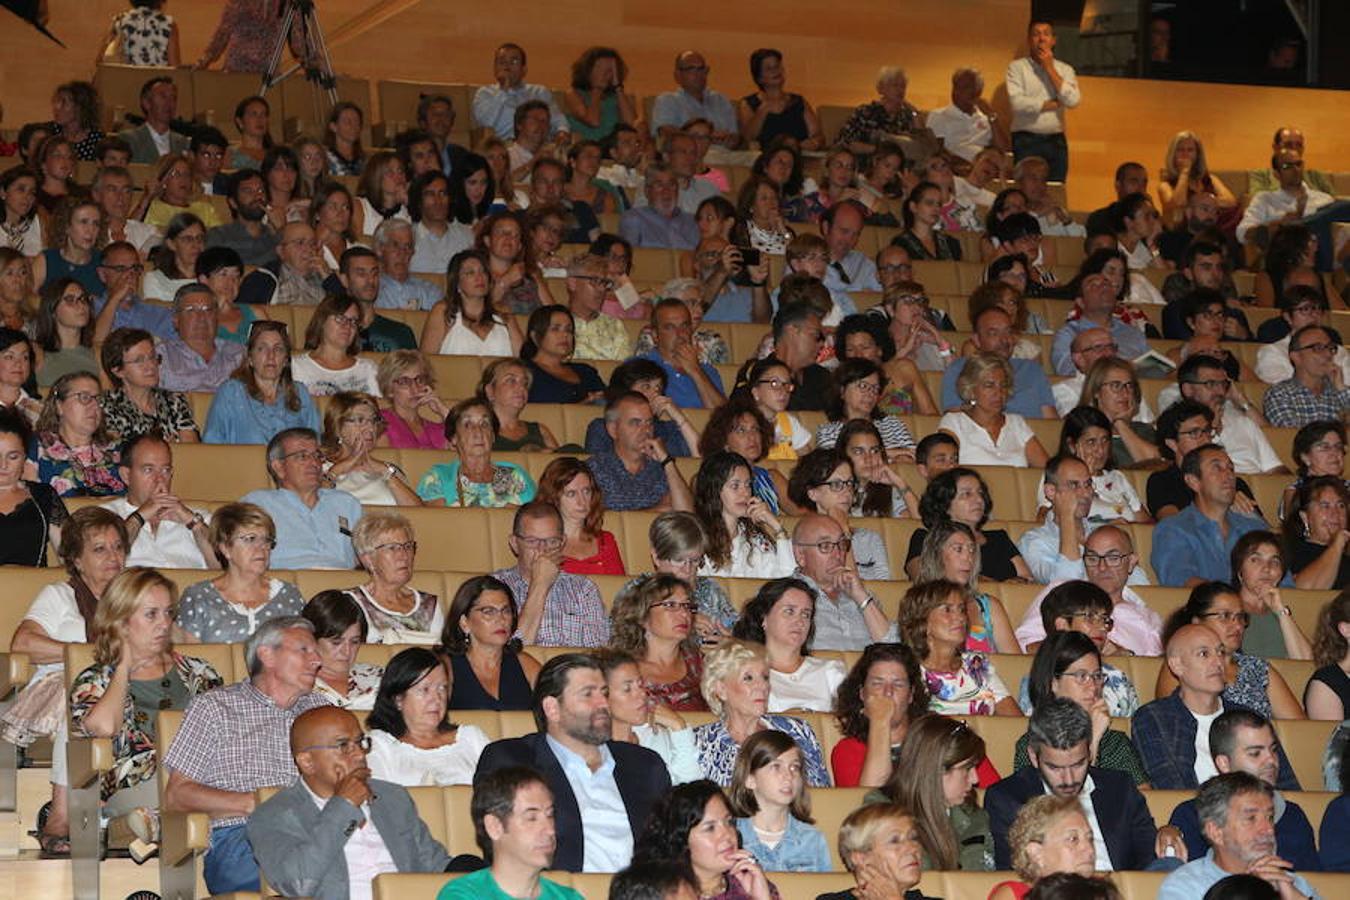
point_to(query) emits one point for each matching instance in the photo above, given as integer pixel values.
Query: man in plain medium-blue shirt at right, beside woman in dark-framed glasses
(1194, 546)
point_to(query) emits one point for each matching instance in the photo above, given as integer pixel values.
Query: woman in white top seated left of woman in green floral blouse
(352, 427)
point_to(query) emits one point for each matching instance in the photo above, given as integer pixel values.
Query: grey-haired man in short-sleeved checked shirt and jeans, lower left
(236, 740)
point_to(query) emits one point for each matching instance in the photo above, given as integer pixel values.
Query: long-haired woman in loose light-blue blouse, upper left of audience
(261, 399)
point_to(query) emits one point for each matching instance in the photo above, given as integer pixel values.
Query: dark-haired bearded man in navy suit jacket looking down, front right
(1059, 743)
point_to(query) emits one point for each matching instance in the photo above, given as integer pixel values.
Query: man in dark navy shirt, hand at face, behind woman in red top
(638, 473)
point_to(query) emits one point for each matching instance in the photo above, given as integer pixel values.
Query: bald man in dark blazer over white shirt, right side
(1172, 733)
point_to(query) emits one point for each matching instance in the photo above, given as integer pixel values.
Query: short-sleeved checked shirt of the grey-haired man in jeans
(237, 739)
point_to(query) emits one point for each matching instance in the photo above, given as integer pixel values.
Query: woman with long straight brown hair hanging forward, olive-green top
(936, 779)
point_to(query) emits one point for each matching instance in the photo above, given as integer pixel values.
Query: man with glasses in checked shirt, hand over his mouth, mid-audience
(557, 608)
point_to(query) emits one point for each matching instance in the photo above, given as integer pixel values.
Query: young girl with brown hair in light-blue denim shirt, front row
(774, 813)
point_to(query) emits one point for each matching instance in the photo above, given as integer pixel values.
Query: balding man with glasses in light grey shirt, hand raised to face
(847, 615)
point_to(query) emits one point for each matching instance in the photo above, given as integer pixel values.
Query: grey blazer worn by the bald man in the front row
(300, 847)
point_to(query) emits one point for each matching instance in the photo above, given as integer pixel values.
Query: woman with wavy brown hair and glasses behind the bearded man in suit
(653, 620)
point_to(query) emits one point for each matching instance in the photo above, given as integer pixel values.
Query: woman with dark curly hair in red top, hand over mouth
(875, 705)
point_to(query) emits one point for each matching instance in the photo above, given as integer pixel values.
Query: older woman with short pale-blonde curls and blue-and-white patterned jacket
(736, 686)
